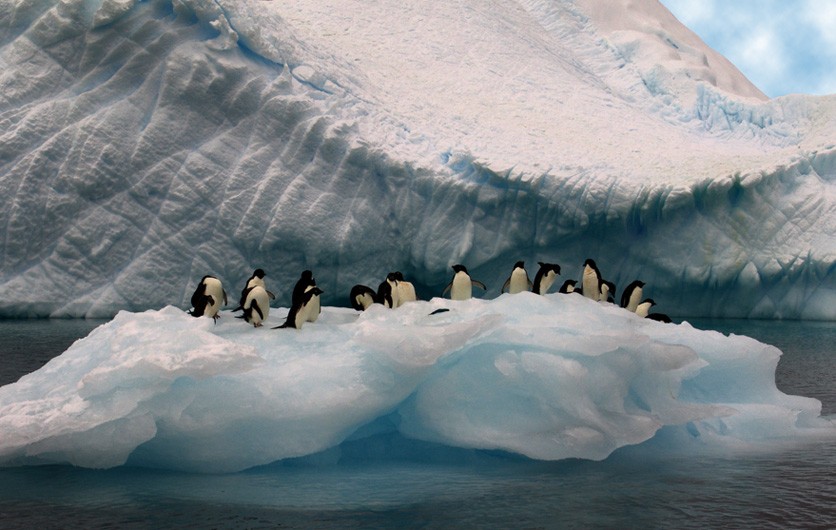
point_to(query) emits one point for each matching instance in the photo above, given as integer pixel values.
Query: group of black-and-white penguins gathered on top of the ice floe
(395, 291)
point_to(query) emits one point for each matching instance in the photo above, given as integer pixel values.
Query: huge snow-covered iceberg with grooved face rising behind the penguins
(145, 144)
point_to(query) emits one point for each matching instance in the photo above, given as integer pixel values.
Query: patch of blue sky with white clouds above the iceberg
(782, 46)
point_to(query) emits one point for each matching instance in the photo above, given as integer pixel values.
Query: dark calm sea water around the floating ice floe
(789, 489)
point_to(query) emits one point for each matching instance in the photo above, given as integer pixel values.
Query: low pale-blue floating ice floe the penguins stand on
(549, 377)
